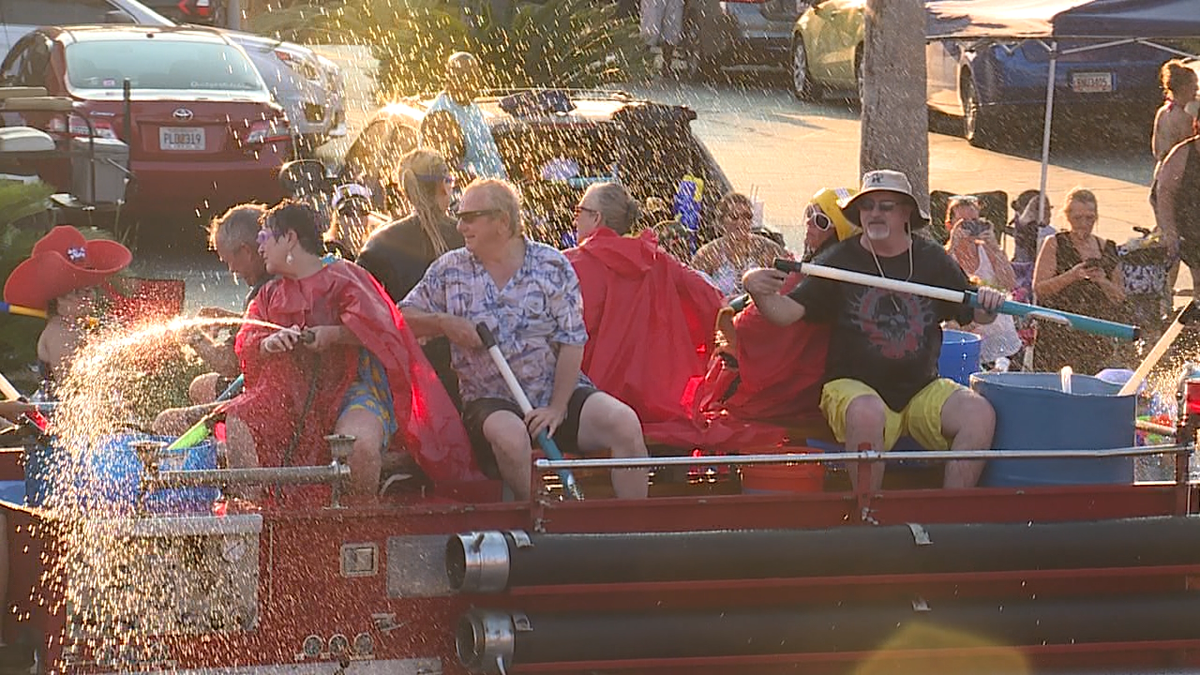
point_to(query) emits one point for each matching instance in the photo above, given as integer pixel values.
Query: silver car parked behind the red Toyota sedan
(308, 86)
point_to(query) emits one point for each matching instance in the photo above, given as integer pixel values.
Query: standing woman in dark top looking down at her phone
(1078, 272)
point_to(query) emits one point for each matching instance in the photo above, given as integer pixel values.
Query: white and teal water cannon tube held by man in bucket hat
(1079, 322)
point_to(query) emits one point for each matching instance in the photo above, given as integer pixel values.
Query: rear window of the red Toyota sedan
(160, 64)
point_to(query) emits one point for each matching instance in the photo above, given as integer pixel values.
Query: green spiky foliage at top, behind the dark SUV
(577, 44)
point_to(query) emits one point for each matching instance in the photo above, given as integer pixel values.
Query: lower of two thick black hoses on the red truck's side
(485, 636)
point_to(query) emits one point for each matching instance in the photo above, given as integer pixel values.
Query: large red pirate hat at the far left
(64, 261)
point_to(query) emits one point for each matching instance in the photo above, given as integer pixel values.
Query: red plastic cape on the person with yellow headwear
(779, 369)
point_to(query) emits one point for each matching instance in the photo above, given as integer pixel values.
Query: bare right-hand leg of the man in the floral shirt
(609, 426)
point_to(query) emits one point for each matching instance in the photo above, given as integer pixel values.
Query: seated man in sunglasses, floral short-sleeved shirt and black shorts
(530, 296)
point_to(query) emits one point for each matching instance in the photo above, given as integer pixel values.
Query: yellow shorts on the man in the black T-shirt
(922, 419)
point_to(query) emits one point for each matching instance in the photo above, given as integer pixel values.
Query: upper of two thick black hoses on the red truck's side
(495, 561)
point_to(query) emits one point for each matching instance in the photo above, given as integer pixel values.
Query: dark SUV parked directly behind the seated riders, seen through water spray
(604, 135)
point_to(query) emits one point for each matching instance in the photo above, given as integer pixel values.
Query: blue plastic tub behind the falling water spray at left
(107, 479)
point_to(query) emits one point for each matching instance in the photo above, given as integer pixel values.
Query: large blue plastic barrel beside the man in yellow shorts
(1034, 414)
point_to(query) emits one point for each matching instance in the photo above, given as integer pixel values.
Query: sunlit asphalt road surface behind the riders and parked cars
(783, 151)
